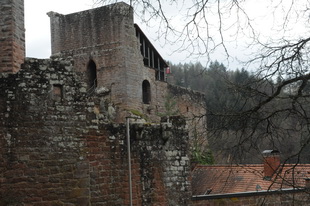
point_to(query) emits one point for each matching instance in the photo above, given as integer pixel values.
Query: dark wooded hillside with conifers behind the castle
(236, 129)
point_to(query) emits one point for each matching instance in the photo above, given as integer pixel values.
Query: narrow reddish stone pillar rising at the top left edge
(12, 35)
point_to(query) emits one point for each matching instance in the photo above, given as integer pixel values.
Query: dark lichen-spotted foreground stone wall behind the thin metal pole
(58, 146)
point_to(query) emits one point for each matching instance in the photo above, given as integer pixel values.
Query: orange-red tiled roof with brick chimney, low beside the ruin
(226, 179)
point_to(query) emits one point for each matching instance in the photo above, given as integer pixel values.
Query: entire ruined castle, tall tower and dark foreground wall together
(62, 131)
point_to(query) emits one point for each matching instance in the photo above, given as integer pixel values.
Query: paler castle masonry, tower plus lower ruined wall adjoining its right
(107, 36)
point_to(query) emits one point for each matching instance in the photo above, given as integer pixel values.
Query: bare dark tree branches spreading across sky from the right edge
(274, 114)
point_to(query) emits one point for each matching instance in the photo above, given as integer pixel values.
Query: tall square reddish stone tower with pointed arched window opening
(104, 45)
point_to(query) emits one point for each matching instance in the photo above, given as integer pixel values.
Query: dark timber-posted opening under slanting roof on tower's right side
(151, 58)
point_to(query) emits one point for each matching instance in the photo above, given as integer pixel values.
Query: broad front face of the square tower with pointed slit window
(104, 35)
